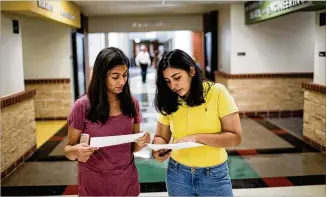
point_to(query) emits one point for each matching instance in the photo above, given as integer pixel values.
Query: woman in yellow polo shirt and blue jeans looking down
(194, 109)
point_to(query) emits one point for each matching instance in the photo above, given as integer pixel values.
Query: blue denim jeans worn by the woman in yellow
(186, 181)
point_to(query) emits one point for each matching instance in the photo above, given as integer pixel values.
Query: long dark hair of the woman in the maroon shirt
(107, 59)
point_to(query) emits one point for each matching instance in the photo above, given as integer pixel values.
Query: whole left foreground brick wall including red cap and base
(18, 135)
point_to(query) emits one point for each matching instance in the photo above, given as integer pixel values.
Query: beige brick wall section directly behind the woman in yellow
(266, 94)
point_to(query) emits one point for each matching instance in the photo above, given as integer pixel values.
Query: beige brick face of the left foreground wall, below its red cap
(18, 133)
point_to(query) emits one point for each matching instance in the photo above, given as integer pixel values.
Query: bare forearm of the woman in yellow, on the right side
(220, 140)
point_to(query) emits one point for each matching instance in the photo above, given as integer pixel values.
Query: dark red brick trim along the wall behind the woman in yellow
(264, 75)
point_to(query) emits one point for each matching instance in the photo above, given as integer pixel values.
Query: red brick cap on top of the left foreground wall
(16, 98)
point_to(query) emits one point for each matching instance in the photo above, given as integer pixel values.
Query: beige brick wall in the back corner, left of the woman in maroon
(51, 100)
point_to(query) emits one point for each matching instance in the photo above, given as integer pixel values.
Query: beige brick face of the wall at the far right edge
(314, 117)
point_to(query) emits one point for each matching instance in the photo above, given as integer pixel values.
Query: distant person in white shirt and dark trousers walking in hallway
(143, 60)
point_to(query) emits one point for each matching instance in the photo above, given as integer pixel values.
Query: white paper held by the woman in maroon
(114, 140)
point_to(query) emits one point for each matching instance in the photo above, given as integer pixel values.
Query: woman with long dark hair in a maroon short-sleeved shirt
(108, 109)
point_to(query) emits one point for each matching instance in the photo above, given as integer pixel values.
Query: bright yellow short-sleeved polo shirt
(201, 119)
